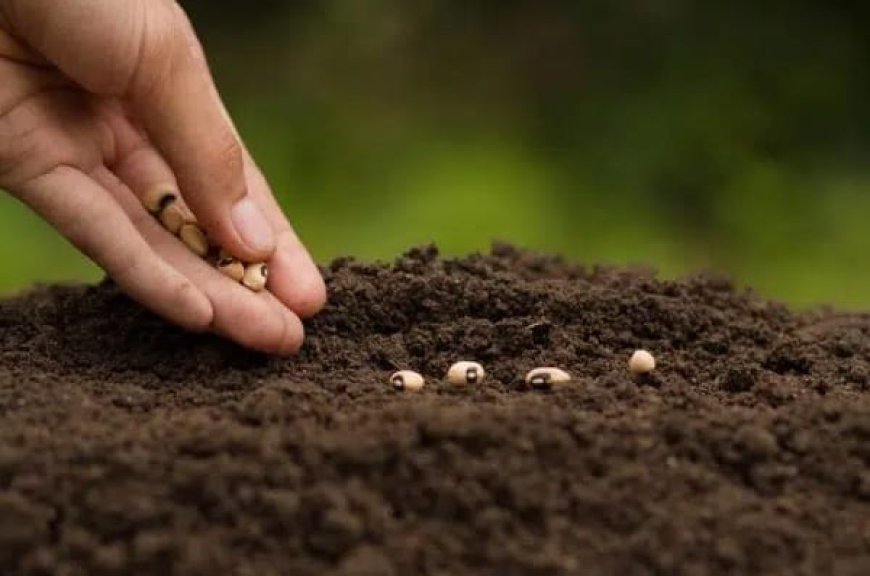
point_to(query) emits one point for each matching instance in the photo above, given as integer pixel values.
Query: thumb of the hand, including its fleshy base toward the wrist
(140, 50)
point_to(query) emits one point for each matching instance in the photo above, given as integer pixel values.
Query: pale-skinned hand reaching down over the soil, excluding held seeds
(101, 100)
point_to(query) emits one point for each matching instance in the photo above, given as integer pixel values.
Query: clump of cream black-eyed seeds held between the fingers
(162, 202)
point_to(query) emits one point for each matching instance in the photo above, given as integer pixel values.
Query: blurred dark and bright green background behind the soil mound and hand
(681, 134)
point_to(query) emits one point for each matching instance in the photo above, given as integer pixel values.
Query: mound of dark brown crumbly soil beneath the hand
(128, 446)
